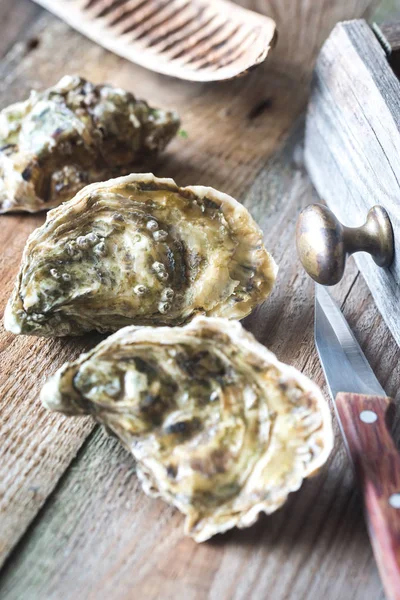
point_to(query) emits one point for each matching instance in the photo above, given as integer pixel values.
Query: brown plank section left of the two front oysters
(36, 447)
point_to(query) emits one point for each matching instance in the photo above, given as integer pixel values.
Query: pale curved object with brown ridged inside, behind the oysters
(199, 40)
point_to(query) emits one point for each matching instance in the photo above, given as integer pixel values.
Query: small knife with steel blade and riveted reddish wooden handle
(361, 407)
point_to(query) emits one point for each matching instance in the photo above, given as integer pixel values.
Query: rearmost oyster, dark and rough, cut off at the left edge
(72, 134)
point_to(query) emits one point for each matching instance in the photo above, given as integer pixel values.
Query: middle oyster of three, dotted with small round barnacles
(139, 250)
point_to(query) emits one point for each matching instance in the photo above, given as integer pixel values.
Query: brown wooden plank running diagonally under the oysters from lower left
(201, 159)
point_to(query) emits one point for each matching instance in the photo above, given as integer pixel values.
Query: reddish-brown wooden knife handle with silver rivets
(377, 465)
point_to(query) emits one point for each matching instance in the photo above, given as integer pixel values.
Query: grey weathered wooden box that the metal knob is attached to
(352, 144)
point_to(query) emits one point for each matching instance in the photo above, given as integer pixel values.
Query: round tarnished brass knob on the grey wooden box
(323, 243)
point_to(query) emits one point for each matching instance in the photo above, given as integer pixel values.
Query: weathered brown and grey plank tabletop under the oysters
(74, 521)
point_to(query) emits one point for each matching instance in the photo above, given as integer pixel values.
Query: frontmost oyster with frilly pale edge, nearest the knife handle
(219, 427)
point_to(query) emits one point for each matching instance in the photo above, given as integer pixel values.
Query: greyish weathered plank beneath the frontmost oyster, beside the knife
(100, 536)
